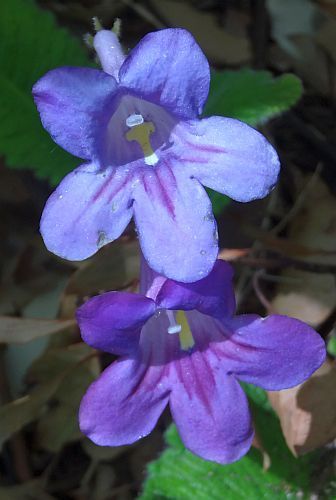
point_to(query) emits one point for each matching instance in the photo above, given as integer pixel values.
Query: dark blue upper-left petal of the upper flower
(74, 106)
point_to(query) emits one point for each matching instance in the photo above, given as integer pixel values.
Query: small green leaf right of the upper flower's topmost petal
(251, 96)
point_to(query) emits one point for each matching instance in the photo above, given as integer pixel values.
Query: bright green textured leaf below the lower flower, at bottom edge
(178, 474)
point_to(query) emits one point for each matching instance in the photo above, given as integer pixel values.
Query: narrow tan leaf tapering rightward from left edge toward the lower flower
(21, 330)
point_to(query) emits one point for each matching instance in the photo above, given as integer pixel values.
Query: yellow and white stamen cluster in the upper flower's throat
(140, 132)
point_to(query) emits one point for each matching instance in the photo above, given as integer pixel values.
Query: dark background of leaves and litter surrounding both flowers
(283, 250)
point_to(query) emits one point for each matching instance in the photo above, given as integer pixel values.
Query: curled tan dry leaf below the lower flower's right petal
(307, 412)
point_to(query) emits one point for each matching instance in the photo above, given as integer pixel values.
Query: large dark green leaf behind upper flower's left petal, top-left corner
(31, 44)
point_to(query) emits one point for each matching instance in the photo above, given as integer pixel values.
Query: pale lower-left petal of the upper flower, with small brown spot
(89, 208)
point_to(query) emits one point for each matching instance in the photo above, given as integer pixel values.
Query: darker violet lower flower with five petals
(180, 343)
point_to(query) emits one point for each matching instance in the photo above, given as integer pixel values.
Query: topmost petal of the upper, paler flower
(168, 67)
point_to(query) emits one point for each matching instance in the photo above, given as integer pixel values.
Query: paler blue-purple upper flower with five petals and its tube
(147, 154)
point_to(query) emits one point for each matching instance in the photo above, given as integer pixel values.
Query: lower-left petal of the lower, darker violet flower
(123, 405)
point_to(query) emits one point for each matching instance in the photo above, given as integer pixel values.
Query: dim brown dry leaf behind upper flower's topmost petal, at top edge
(220, 46)
